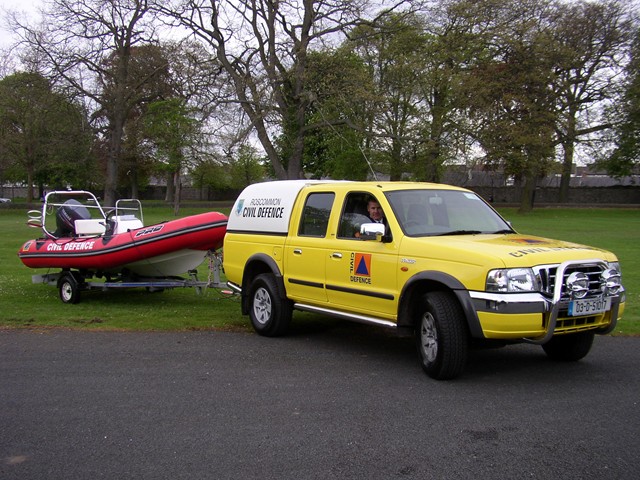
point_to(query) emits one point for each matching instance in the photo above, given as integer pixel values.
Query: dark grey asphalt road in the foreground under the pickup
(340, 402)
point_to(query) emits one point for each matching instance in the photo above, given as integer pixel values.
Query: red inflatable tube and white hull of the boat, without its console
(164, 249)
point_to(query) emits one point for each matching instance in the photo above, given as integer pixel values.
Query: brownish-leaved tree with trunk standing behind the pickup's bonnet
(510, 96)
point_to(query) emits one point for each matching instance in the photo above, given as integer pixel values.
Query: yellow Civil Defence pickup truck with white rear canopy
(437, 262)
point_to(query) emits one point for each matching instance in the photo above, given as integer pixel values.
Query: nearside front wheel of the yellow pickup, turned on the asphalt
(442, 336)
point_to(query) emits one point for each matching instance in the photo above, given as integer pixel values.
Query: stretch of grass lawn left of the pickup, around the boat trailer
(23, 303)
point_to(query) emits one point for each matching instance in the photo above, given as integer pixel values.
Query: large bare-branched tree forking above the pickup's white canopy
(264, 48)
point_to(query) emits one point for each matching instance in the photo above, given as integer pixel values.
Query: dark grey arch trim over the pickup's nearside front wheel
(429, 281)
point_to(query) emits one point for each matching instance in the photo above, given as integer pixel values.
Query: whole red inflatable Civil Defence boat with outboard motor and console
(96, 242)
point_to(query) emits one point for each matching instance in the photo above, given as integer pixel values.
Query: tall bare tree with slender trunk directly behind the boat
(96, 37)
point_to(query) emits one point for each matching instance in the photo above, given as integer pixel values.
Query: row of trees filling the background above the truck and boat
(517, 84)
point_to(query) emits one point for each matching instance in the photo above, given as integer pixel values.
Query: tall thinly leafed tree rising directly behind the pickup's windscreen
(455, 32)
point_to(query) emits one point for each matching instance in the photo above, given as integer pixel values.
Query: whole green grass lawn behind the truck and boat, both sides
(23, 303)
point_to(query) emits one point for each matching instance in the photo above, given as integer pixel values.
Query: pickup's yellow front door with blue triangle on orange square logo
(361, 274)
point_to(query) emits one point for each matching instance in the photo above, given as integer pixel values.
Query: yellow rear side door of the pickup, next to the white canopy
(305, 250)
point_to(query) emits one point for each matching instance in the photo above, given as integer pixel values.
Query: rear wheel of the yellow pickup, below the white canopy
(270, 314)
